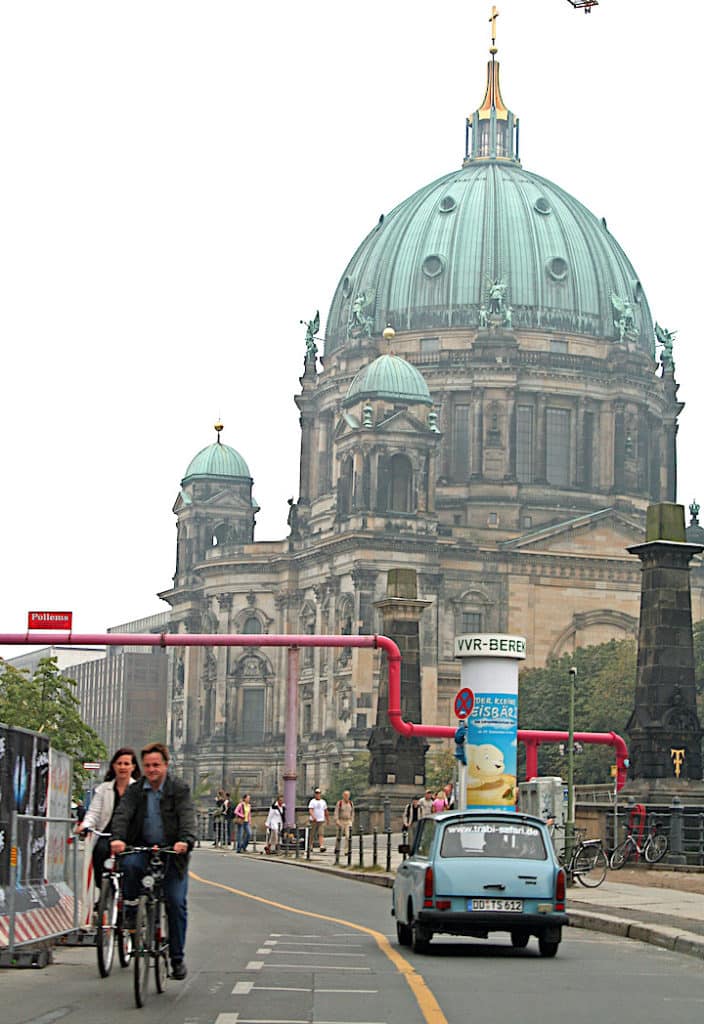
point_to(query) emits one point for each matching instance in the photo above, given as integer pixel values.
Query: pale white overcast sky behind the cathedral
(182, 184)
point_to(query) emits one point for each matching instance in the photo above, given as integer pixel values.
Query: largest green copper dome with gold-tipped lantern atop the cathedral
(427, 265)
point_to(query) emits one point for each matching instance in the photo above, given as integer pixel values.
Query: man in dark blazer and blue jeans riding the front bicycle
(158, 812)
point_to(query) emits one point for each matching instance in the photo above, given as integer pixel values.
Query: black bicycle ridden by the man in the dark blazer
(151, 944)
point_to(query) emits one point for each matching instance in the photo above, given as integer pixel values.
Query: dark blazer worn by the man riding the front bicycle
(179, 817)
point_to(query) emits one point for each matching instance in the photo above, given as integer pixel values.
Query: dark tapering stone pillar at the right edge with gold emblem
(665, 730)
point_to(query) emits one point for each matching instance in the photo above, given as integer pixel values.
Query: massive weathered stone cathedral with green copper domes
(494, 408)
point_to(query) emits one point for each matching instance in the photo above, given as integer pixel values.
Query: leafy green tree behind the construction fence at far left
(47, 703)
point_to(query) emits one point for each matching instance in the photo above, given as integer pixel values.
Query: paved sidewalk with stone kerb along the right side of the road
(663, 908)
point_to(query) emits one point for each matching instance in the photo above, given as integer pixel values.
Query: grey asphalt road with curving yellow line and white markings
(273, 944)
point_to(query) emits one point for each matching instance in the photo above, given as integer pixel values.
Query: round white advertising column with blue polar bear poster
(490, 671)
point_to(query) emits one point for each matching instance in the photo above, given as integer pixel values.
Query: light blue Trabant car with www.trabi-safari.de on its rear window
(472, 873)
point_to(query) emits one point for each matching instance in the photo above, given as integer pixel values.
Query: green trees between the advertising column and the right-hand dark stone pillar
(603, 702)
